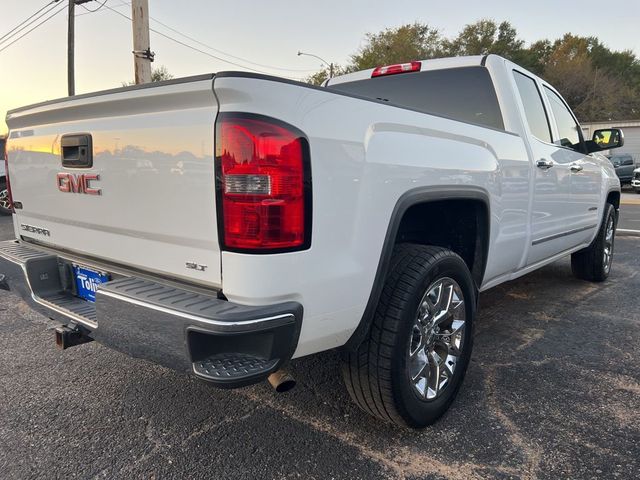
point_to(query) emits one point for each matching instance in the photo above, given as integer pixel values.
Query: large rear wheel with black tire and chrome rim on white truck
(410, 366)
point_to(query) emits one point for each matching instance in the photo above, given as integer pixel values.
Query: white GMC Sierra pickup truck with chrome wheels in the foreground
(225, 224)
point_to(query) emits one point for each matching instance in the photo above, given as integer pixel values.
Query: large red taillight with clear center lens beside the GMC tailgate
(263, 184)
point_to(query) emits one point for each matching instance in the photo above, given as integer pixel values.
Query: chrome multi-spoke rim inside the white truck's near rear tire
(437, 338)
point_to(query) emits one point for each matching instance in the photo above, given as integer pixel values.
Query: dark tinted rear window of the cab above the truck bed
(466, 94)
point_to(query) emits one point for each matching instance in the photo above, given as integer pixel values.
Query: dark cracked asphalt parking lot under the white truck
(553, 391)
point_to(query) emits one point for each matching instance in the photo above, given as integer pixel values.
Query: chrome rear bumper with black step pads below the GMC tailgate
(227, 344)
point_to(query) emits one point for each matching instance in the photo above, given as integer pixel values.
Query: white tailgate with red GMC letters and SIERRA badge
(148, 199)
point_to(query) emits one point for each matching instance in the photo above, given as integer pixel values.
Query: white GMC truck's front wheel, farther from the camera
(594, 262)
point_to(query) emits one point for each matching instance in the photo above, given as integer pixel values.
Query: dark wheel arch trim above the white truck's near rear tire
(427, 196)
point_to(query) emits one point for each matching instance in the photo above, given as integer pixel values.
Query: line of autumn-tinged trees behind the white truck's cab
(598, 83)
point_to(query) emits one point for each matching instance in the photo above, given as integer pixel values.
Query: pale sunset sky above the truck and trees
(261, 35)
